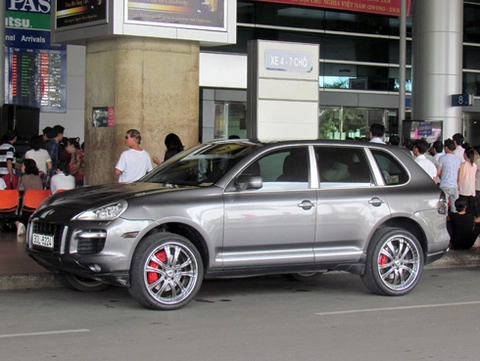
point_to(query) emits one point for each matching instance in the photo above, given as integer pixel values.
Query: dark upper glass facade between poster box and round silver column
(352, 45)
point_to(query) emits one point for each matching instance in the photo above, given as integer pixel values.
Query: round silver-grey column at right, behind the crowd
(437, 62)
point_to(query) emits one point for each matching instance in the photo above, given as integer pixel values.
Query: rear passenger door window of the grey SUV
(342, 165)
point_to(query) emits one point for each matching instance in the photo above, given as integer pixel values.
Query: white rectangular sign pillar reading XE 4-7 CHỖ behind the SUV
(282, 90)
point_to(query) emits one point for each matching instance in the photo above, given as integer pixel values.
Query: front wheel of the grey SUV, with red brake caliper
(166, 272)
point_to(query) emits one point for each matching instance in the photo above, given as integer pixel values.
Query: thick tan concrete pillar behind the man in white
(153, 85)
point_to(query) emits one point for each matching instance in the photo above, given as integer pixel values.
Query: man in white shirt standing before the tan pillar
(135, 162)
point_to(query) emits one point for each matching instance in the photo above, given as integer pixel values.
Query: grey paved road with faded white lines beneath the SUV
(267, 318)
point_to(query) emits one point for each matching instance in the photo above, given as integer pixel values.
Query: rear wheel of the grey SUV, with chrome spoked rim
(394, 262)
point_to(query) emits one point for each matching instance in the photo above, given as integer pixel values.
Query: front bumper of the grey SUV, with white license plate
(96, 250)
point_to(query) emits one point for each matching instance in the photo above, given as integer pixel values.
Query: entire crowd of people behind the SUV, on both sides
(57, 163)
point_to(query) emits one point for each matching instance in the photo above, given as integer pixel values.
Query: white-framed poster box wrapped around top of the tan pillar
(208, 21)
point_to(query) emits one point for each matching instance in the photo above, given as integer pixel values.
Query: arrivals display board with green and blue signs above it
(35, 69)
